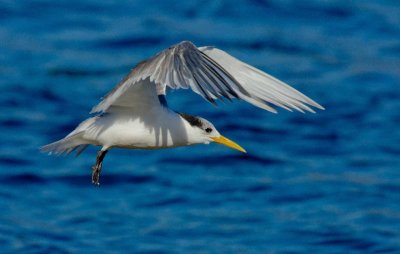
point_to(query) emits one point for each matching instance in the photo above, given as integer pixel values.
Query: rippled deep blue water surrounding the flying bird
(310, 183)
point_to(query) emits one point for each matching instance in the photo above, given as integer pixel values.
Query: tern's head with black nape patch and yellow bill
(206, 132)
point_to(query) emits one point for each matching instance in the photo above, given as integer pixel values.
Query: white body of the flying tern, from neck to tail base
(157, 128)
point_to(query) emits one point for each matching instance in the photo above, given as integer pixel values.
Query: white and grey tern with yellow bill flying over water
(135, 114)
